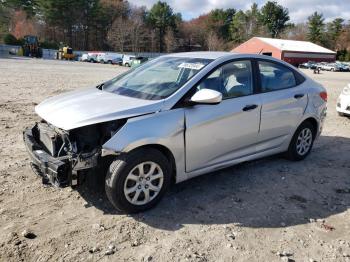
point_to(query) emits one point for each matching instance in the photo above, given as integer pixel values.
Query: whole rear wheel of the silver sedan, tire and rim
(302, 142)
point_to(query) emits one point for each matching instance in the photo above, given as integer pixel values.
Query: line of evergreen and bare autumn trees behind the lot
(122, 27)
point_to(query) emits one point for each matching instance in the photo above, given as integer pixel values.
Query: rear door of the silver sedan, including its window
(284, 101)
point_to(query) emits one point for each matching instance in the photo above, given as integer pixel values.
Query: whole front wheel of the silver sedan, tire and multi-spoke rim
(137, 181)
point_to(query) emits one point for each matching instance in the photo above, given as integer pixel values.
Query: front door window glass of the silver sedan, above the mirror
(232, 80)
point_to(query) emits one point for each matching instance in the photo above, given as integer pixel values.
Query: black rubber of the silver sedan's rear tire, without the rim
(292, 153)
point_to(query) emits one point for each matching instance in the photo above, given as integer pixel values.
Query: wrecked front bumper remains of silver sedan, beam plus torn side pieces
(58, 171)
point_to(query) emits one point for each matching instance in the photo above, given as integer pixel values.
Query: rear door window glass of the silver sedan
(275, 77)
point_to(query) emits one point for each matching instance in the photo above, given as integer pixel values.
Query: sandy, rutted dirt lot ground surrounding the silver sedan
(266, 210)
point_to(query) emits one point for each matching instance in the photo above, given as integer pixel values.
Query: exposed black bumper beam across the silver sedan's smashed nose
(54, 171)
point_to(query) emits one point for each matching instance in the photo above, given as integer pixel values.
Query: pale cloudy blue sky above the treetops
(299, 10)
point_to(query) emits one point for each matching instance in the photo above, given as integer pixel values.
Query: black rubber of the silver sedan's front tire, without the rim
(119, 170)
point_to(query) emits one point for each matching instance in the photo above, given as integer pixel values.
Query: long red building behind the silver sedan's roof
(291, 51)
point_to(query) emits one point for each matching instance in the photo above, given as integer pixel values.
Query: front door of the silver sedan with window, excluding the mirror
(219, 133)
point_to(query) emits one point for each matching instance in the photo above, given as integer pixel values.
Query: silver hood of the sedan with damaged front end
(91, 106)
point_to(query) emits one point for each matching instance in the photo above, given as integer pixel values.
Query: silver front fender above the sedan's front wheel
(165, 128)
